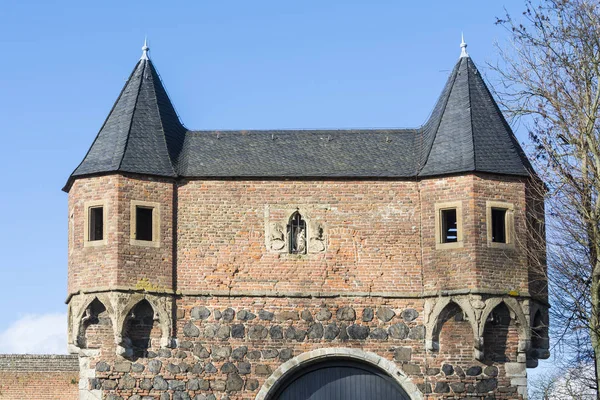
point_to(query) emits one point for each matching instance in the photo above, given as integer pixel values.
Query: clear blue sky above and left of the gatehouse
(225, 64)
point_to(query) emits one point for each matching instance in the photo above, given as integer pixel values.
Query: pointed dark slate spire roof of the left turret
(142, 133)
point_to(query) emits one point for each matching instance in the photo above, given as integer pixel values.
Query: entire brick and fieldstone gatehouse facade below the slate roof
(243, 306)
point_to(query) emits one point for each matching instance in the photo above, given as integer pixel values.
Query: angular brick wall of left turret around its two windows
(95, 267)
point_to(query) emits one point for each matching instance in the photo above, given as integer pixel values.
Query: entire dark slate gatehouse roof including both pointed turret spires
(466, 132)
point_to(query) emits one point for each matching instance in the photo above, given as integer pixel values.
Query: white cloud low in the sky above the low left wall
(35, 334)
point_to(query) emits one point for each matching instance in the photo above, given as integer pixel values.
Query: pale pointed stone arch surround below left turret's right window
(159, 314)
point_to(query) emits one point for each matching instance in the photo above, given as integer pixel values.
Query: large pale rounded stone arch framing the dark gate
(304, 359)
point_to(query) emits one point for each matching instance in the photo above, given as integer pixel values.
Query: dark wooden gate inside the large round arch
(339, 380)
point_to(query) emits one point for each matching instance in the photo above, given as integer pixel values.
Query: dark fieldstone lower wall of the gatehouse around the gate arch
(227, 348)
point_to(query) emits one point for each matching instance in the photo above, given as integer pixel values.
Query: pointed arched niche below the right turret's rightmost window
(504, 331)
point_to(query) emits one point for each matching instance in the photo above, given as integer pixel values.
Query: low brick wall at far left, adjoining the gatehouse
(40, 377)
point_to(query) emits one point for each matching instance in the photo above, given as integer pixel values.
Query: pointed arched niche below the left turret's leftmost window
(95, 326)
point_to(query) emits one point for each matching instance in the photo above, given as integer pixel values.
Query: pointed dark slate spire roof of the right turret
(467, 131)
